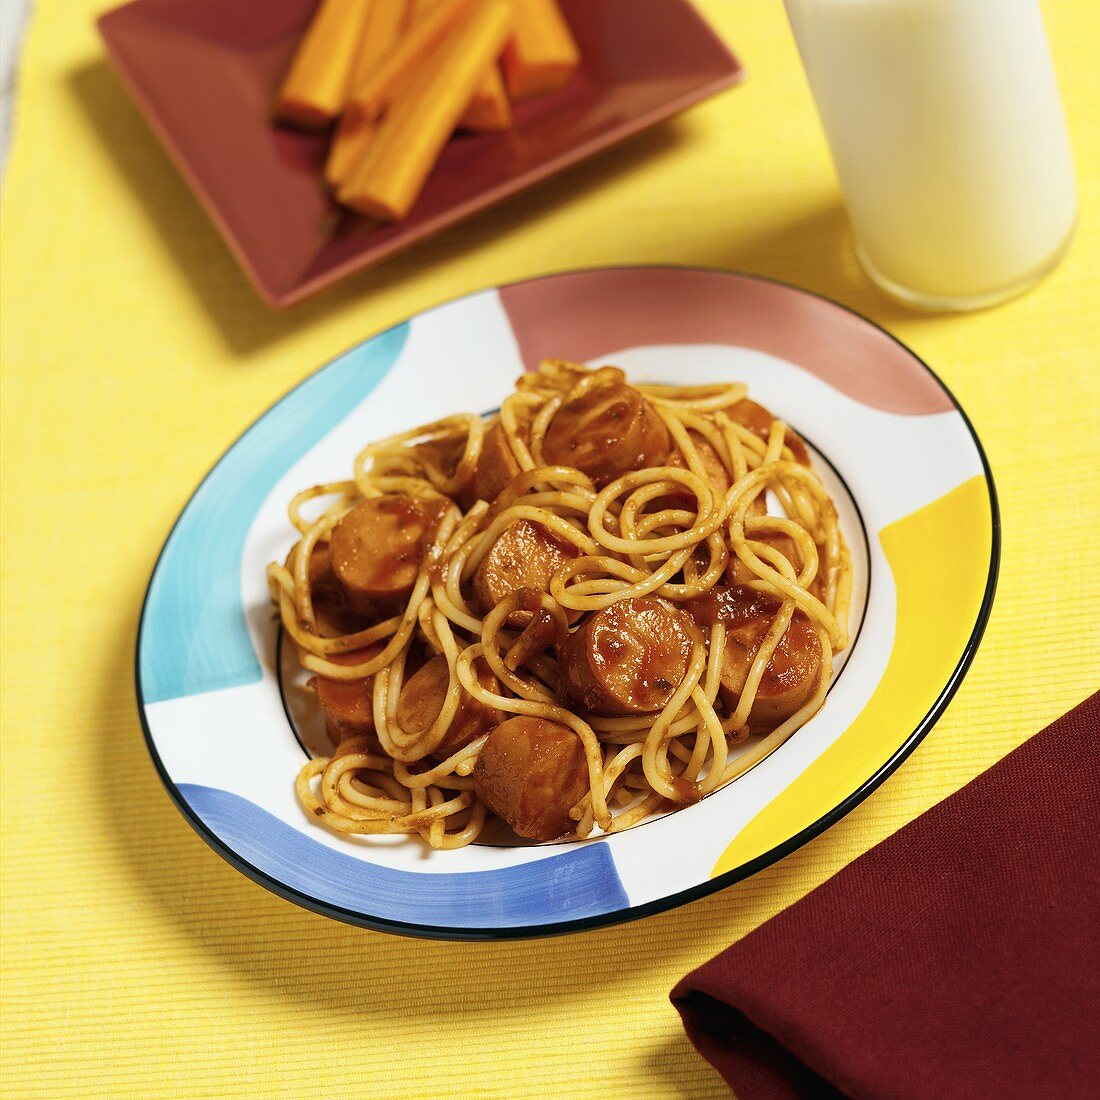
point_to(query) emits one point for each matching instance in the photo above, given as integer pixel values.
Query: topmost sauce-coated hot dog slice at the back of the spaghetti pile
(608, 432)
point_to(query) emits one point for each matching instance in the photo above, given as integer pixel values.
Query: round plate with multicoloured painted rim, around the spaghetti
(917, 503)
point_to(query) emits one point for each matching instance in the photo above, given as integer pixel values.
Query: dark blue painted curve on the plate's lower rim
(577, 884)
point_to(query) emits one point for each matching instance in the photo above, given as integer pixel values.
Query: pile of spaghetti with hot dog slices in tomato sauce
(567, 615)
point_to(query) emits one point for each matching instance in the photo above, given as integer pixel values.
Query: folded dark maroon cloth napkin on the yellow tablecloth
(959, 959)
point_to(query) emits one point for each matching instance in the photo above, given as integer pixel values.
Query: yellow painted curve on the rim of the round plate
(940, 557)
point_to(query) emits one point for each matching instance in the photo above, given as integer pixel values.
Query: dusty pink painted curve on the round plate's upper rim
(586, 315)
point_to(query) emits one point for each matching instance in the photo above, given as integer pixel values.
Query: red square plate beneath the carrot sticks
(205, 73)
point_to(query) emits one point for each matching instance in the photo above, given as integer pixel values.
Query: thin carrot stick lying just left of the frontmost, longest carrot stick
(371, 97)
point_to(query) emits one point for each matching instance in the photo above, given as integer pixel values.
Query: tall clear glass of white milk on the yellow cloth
(948, 133)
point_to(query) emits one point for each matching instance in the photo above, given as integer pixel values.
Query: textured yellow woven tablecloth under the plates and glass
(137, 963)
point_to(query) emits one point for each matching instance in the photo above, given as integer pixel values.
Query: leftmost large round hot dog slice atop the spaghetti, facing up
(378, 549)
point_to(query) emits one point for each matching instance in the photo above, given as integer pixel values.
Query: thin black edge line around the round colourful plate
(683, 897)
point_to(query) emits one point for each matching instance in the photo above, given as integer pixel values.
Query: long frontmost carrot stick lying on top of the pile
(410, 139)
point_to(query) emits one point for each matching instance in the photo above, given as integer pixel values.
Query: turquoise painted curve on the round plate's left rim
(194, 634)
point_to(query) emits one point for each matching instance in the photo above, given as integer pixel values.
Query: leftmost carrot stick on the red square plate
(316, 89)
